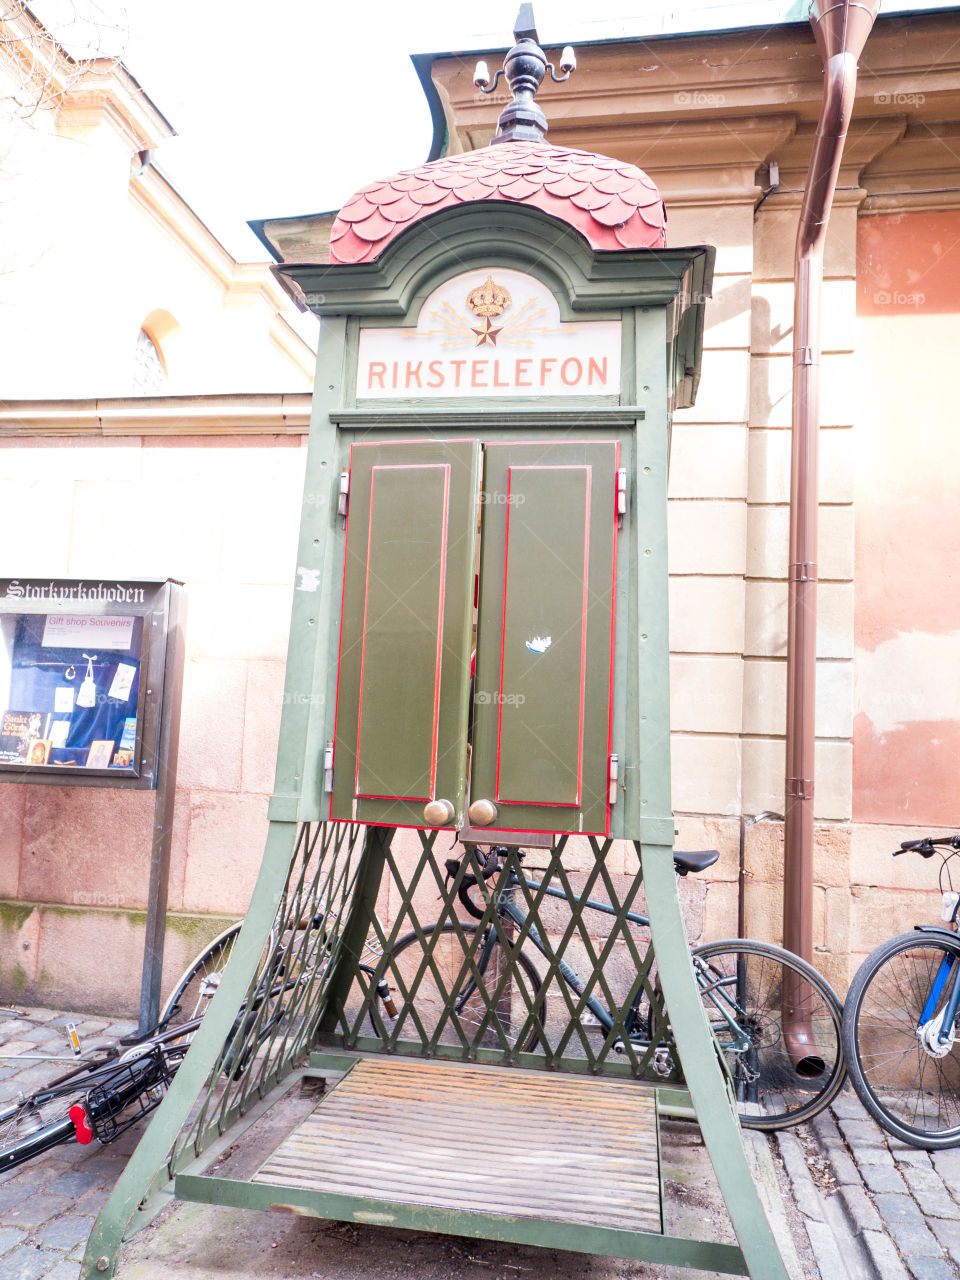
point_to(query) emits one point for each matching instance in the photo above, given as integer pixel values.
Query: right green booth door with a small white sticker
(543, 692)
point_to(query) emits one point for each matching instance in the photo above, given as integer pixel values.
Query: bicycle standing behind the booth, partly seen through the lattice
(781, 1076)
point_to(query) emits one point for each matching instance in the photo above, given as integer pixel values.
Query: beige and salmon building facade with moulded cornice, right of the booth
(724, 122)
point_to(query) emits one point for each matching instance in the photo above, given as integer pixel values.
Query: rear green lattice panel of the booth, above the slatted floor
(523, 984)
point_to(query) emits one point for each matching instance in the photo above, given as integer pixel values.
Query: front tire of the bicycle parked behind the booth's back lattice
(429, 1002)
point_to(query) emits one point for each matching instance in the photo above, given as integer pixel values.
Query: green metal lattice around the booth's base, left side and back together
(359, 918)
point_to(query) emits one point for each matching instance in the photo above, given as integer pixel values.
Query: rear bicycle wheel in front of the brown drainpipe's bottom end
(784, 1072)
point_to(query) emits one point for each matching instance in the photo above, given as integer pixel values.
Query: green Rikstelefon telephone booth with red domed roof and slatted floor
(478, 661)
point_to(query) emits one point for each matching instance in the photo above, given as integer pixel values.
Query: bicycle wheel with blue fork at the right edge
(908, 1082)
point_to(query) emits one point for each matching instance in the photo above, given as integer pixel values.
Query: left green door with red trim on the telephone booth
(406, 632)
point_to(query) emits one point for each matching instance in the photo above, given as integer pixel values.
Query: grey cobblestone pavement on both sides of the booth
(872, 1208)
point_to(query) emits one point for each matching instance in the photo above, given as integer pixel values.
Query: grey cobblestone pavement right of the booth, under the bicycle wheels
(874, 1208)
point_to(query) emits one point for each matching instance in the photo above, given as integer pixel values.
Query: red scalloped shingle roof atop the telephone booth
(614, 204)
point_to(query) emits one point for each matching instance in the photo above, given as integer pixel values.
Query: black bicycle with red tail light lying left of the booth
(117, 1085)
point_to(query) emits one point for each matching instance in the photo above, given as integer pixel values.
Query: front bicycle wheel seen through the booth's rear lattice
(428, 995)
